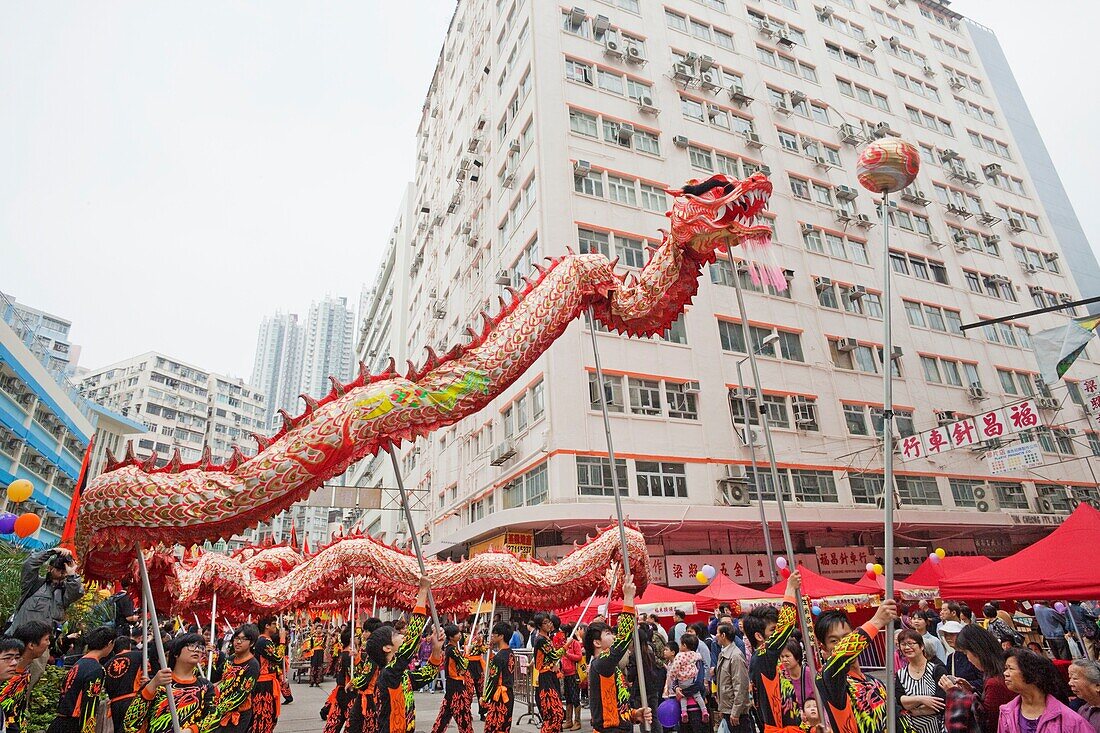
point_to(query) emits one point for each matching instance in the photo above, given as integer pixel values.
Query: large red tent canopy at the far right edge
(1059, 566)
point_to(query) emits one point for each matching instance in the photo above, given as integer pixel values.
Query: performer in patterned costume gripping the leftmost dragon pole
(195, 697)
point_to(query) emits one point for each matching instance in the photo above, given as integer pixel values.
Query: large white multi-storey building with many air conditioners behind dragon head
(580, 118)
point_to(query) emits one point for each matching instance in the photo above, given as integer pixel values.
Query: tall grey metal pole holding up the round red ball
(888, 490)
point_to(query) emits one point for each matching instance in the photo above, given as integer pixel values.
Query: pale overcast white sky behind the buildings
(172, 172)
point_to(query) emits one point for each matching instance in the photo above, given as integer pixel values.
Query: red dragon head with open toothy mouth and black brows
(722, 211)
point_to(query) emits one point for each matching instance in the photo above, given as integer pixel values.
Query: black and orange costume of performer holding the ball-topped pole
(854, 702)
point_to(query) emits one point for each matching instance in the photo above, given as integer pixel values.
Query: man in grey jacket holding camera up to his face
(47, 598)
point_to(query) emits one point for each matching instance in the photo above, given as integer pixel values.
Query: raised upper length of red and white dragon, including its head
(188, 504)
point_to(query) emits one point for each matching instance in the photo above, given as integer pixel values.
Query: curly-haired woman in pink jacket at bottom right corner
(1038, 709)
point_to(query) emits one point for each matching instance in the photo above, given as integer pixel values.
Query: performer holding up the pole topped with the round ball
(855, 703)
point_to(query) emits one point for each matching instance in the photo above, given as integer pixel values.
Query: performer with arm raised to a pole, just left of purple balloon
(609, 697)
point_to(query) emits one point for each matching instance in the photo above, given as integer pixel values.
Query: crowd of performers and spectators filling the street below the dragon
(732, 674)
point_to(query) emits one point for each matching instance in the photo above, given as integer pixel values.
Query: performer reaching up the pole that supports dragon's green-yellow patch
(391, 652)
